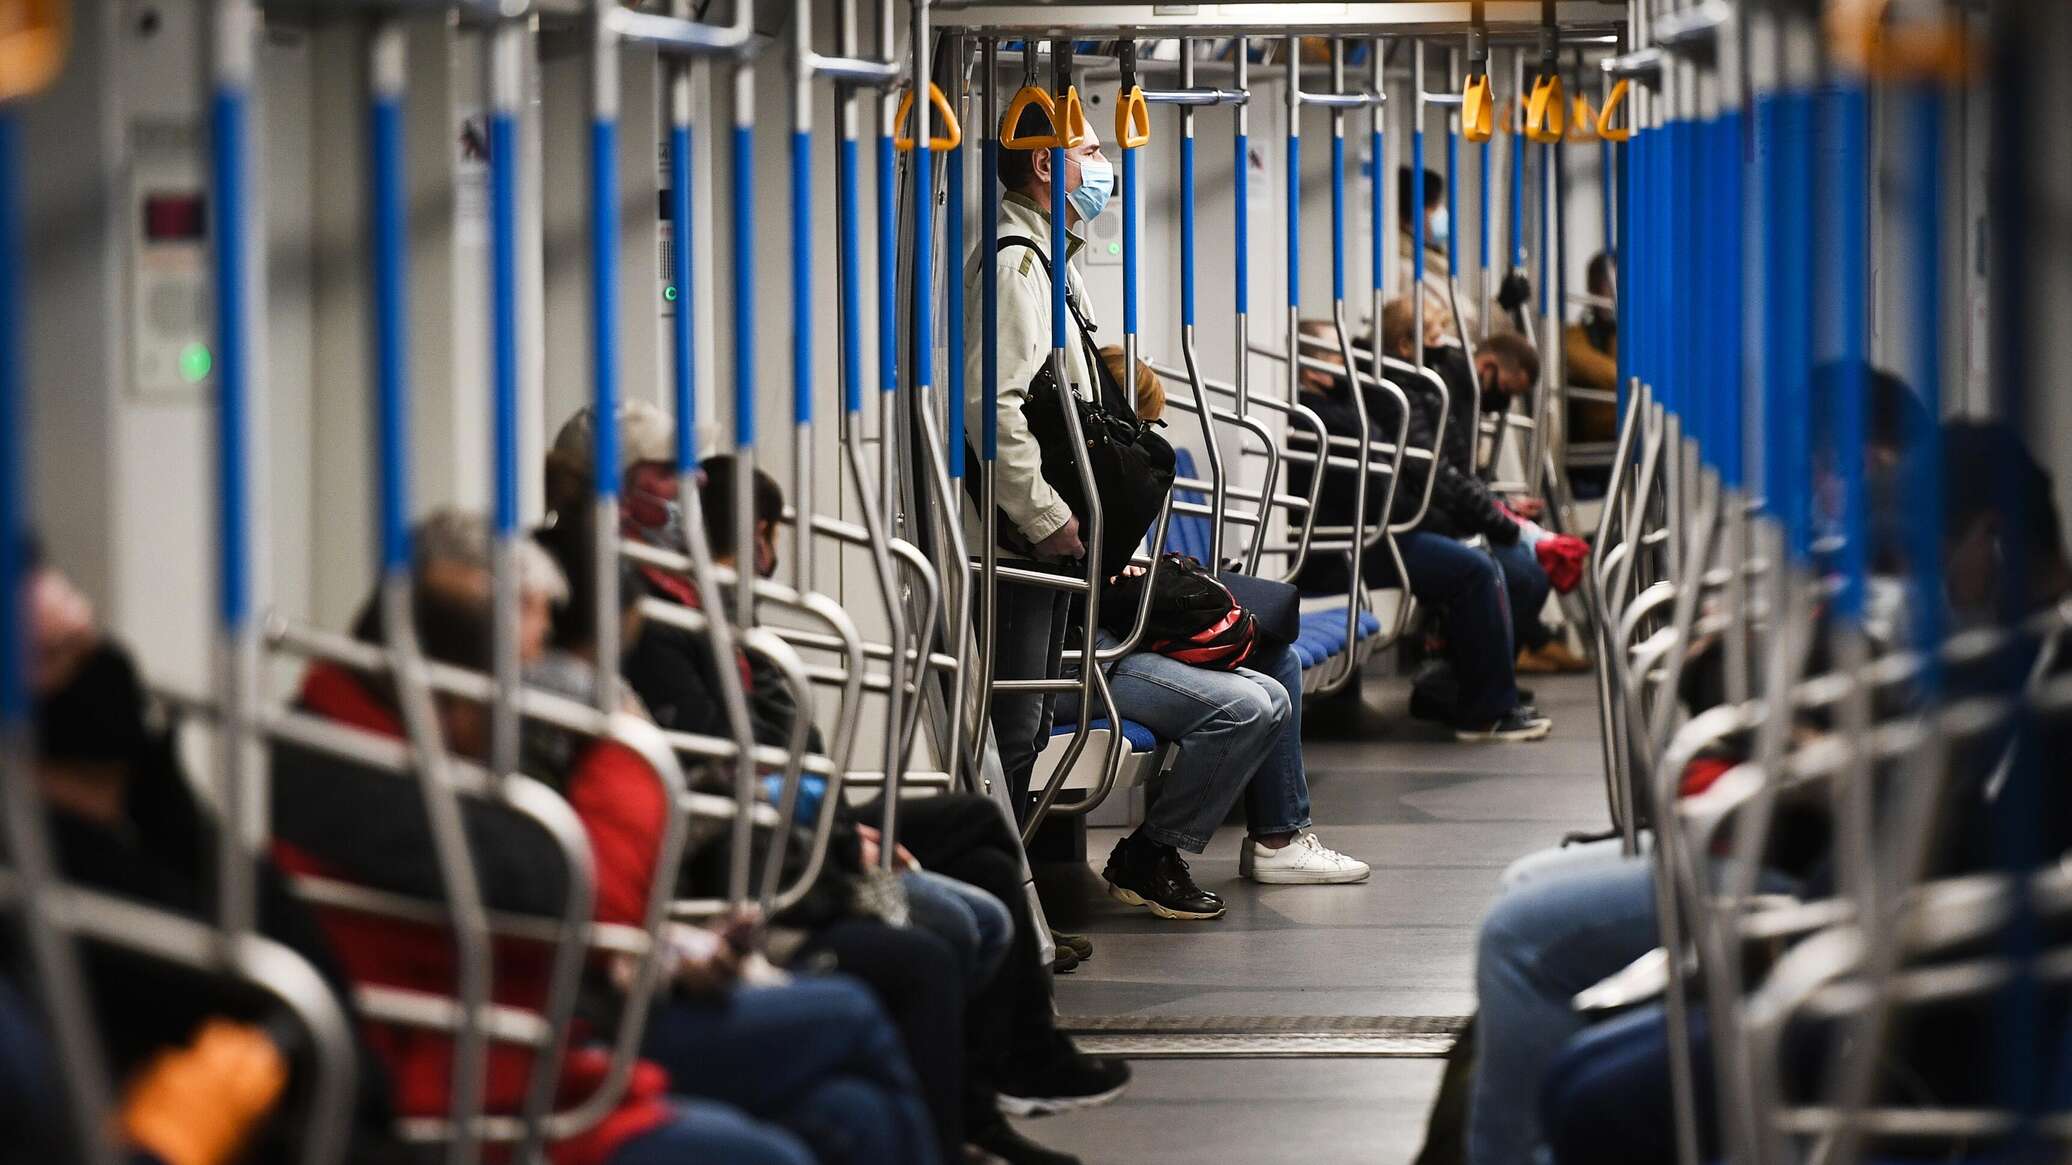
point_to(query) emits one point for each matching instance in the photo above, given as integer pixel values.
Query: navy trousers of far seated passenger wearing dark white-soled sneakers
(1470, 590)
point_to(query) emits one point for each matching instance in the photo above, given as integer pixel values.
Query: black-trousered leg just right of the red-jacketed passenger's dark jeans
(917, 982)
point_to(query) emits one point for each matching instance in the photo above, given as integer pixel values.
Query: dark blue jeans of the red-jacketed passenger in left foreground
(815, 1056)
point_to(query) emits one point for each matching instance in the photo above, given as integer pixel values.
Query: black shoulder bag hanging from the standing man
(1132, 463)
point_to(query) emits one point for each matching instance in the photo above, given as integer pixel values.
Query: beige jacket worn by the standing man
(1025, 345)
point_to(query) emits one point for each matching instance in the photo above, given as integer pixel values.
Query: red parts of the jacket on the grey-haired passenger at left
(623, 812)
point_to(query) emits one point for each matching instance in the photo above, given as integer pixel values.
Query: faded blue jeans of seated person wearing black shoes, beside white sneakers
(1226, 724)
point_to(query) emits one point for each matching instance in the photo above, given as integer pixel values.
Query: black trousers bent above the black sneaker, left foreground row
(967, 839)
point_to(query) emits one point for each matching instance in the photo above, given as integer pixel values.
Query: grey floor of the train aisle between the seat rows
(1329, 1004)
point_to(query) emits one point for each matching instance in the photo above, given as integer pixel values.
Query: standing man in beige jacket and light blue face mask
(1035, 523)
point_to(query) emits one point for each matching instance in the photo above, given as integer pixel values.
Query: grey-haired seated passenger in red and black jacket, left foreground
(339, 820)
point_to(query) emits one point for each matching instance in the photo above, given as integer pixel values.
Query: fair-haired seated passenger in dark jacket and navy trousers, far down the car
(1466, 586)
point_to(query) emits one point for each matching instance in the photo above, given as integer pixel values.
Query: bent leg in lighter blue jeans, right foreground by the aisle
(1543, 944)
